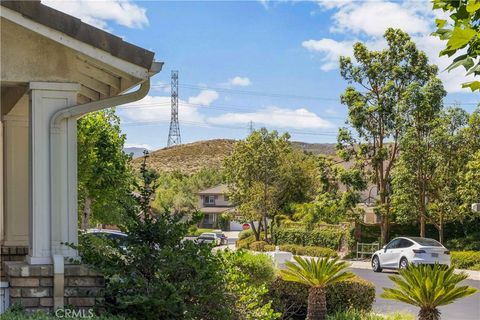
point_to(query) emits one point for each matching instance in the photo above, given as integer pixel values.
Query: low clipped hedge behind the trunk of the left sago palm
(291, 298)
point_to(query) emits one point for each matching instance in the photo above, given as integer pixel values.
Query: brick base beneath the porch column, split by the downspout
(32, 286)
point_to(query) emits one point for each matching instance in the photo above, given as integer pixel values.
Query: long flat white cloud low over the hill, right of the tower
(274, 116)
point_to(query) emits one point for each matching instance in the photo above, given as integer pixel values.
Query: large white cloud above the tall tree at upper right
(368, 20)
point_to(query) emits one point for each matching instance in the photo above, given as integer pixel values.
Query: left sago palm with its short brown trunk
(316, 273)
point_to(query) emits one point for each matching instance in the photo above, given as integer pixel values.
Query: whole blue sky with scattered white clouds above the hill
(272, 63)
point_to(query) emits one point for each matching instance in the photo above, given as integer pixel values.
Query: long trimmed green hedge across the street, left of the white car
(321, 237)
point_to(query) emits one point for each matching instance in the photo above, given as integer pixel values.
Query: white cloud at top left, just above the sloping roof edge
(98, 13)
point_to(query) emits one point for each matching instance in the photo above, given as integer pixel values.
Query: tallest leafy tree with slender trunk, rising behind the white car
(374, 109)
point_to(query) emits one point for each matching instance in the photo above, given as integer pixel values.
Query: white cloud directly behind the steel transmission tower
(157, 109)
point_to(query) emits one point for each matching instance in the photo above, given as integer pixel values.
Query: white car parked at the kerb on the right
(402, 251)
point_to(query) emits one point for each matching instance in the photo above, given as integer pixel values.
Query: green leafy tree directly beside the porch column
(104, 172)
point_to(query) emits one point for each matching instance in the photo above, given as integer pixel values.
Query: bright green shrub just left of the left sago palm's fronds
(258, 267)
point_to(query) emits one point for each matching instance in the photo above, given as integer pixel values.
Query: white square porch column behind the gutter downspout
(53, 181)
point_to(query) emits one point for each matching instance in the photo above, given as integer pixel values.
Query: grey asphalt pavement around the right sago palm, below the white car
(463, 309)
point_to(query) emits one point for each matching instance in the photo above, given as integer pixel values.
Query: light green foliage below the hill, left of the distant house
(177, 191)
